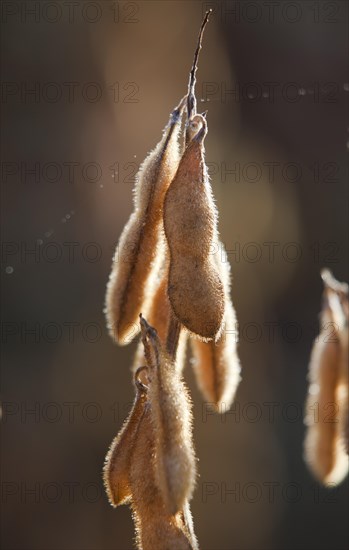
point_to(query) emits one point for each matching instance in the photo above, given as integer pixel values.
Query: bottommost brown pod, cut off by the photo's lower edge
(156, 528)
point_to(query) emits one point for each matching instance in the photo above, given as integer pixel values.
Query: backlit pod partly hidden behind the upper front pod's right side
(216, 364)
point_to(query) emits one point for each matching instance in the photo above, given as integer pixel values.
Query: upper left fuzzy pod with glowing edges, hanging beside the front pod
(139, 250)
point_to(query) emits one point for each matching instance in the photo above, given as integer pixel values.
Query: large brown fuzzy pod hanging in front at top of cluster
(195, 289)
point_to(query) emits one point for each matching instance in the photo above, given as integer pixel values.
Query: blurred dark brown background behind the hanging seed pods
(86, 91)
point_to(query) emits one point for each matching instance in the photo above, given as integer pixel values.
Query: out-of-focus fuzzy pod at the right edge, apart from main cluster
(325, 444)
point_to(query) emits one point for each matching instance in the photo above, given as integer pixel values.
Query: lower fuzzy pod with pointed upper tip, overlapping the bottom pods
(172, 423)
